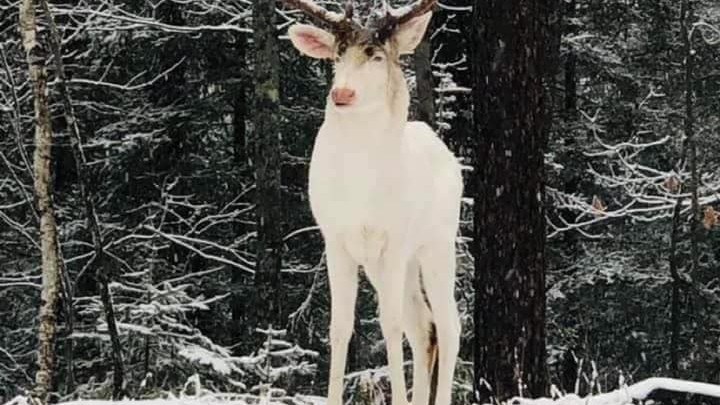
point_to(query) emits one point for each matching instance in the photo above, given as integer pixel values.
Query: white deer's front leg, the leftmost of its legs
(343, 280)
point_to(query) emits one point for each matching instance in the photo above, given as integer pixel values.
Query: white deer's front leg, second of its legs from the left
(391, 294)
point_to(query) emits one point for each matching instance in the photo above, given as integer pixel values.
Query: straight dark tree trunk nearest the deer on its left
(267, 164)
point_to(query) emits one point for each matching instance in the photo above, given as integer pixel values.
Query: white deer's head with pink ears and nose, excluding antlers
(367, 69)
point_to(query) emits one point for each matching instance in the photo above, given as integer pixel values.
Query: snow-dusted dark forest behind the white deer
(157, 238)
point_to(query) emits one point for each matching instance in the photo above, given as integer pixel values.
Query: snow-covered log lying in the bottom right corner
(627, 394)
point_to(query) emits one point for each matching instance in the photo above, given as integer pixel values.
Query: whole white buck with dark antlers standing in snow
(386, 194)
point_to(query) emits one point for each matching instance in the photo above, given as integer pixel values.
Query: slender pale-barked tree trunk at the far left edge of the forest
(36, 57)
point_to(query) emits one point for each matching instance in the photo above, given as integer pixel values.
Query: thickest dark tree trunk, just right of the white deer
(508, 62)
